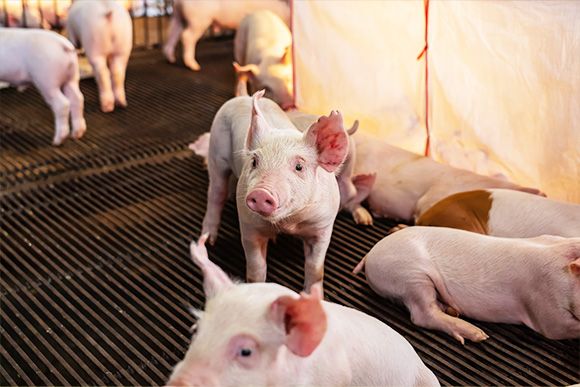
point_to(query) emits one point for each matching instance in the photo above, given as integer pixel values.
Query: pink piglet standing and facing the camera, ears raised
(286, 179)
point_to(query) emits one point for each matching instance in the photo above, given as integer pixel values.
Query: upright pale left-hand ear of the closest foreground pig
(214, 278)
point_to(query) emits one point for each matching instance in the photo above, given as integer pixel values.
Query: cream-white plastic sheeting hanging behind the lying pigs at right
(504, 80)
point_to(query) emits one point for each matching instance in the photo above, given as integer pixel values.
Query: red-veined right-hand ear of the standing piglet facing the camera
(330, 139)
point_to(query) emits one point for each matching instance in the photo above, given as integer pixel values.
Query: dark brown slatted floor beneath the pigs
(95, 273)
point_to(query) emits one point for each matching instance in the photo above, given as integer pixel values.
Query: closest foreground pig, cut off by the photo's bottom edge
(281, 338)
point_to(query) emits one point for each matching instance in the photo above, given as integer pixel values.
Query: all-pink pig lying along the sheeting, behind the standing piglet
(406, 184)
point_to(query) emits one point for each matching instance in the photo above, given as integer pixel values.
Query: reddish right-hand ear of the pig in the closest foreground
(303, 318)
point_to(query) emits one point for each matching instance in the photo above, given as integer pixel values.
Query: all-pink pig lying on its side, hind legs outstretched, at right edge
(441, 272)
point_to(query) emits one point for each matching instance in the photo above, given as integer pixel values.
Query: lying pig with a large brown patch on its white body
(504, 213)
